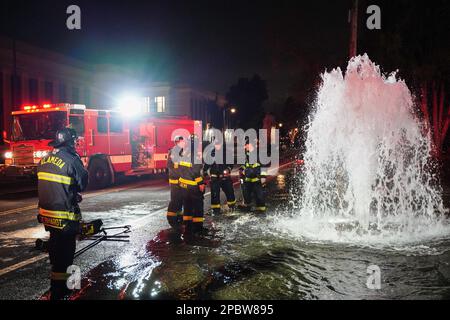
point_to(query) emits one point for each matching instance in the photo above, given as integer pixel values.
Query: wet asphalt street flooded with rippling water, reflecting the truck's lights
(236, 260)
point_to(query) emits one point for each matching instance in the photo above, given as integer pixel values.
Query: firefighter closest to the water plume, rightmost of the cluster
(253, 176)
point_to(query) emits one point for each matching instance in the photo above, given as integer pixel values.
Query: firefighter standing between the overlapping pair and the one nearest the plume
(220, 174)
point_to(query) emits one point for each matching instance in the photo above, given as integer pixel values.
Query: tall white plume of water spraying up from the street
(368, 171)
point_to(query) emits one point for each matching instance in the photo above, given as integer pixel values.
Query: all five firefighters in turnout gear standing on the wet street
(62, 176)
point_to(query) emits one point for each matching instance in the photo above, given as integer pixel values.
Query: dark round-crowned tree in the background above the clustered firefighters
(248, 95)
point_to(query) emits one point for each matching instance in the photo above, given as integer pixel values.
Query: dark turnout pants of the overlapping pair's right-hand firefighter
(193, 208)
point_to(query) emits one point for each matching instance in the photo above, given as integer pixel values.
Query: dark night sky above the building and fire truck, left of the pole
(205, 43)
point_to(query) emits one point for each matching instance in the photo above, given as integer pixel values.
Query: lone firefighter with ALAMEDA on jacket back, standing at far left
(61, 176)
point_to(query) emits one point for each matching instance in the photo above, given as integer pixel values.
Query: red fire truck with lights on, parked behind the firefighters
(109, 143)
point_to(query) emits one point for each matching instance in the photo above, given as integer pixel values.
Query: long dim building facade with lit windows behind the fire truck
(31, 75)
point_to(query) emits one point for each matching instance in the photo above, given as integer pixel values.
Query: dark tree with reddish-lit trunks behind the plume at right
(414, 39)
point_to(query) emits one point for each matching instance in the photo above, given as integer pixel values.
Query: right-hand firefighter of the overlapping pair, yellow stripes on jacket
(193, 186)
